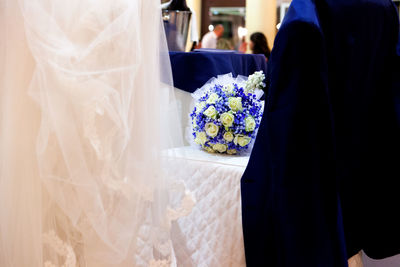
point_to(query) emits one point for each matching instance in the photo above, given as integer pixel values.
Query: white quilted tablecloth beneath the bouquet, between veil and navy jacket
(212, 233)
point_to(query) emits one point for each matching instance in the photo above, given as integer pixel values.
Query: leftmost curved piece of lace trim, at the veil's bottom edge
(61, 248)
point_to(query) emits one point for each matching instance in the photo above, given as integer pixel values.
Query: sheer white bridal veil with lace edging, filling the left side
(86, 109)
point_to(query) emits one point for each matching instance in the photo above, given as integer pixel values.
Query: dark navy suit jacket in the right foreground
(323, 179)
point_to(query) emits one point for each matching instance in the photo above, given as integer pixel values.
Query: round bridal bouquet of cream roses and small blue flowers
(227, 113)
